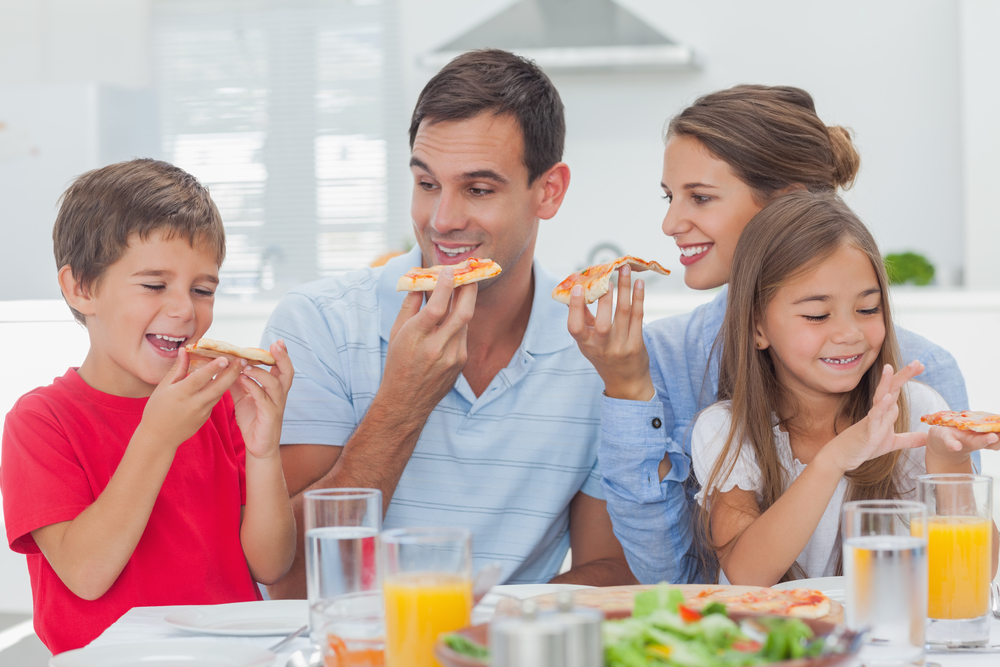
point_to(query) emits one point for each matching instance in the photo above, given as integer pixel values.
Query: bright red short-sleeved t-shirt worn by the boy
(61, 445)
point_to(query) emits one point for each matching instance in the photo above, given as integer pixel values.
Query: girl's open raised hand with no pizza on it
(875, 435)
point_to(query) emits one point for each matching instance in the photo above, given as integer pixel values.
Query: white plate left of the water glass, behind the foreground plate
(246, 619)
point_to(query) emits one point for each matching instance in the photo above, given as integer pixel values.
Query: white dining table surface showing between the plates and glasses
(144, 625)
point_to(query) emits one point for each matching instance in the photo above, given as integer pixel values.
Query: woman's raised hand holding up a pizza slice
(614, 345)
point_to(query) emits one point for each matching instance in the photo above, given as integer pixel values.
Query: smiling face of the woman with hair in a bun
(709, 207)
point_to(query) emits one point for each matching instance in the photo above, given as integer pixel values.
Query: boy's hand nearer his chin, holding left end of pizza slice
(182, 403)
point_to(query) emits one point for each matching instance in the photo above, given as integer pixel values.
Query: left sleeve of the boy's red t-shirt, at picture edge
(41, 478)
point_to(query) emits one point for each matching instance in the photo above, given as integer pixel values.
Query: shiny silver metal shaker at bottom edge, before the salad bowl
(529, 640)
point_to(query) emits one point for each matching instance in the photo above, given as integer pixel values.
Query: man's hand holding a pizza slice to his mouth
(427, 346)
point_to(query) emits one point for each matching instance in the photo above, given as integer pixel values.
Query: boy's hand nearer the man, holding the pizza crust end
(259, 397)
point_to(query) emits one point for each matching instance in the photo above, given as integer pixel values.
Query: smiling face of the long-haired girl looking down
(824, 329)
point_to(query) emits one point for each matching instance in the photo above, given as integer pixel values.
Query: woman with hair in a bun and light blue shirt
(727, 156)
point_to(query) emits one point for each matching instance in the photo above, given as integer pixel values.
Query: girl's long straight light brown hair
(790, 236)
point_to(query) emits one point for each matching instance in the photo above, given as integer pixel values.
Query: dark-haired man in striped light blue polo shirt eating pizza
(475, 409)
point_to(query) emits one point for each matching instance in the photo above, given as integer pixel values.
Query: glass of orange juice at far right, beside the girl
(959, 534)
